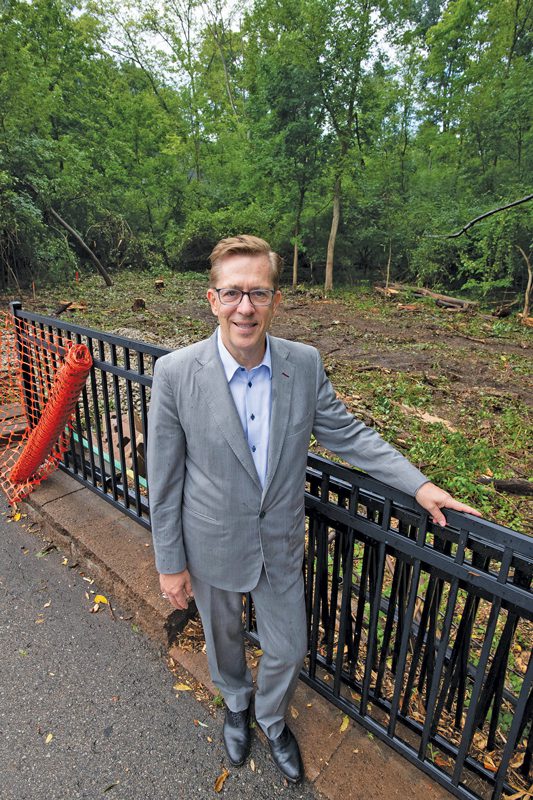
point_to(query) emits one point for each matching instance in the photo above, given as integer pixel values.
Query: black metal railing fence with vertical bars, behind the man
(421, 634)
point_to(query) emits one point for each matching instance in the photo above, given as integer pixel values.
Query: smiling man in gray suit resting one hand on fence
(229, 428)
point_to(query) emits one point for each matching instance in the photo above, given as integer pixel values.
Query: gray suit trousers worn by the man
(281, 626)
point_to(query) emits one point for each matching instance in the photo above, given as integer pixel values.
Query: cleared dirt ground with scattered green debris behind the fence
(413, 370)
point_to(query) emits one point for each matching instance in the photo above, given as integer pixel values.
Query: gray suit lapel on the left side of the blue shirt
(212, 380)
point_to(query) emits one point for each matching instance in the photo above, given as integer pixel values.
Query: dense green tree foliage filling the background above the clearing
(155, 129)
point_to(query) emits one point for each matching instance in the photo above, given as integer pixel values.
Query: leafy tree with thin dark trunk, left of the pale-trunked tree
(284, 108)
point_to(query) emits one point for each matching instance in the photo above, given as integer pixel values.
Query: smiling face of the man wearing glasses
(243, 328)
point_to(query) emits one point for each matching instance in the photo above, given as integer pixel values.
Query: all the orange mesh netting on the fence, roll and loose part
(41, 378)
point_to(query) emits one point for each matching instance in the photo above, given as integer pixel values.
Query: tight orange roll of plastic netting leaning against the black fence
(68, 383)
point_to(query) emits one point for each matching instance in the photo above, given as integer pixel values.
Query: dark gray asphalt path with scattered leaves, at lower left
(86, 702)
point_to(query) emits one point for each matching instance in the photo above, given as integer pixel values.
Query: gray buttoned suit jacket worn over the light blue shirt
(208, 510)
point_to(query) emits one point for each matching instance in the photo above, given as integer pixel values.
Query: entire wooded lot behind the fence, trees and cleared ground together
(351, 134)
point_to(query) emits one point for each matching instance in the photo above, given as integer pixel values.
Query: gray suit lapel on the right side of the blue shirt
(282, 383)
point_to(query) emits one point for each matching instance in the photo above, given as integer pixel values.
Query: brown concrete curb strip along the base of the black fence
(117, 552)
